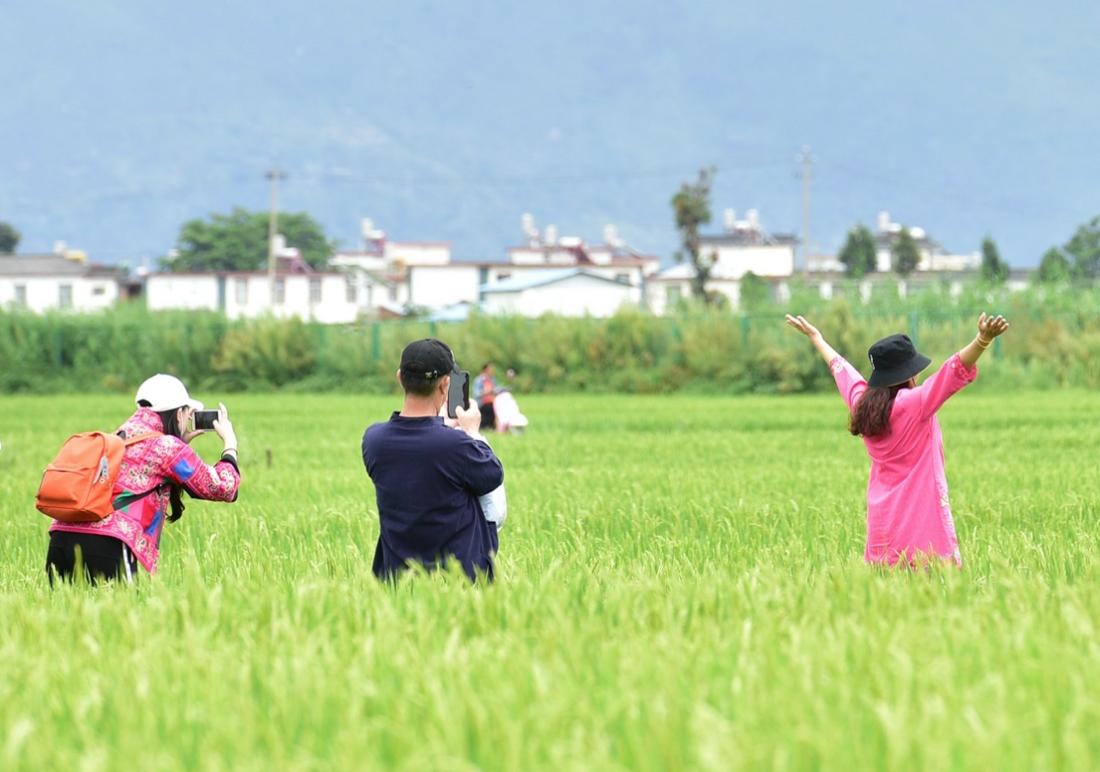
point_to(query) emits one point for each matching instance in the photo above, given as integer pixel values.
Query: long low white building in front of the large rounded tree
(324, 297)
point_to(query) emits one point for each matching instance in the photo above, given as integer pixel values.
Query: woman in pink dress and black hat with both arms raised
(909, 516)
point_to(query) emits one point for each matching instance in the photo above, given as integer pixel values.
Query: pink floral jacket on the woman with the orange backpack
(155, 465)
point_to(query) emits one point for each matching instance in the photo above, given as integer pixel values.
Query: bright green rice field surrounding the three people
(680, 587)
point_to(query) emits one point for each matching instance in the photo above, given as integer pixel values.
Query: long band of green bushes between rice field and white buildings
(1054, 341)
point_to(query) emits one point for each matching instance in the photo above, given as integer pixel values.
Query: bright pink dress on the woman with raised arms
(909, 515)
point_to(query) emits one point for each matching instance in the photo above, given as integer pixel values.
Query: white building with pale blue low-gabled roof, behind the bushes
(567, 292)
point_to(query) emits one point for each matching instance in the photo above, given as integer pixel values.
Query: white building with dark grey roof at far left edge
(59, 282)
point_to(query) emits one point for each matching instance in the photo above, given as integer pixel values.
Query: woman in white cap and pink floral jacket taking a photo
(155, 472)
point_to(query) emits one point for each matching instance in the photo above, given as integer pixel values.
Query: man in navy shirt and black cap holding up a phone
(428, 476)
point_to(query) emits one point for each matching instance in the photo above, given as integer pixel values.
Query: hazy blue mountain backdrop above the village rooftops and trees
(119, 120)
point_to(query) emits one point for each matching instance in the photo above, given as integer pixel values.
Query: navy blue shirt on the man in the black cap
(427, 479)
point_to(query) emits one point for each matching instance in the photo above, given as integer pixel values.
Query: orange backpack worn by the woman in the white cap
(79, 487)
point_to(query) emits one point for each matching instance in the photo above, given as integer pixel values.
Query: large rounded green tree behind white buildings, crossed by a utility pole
(238, 241)
